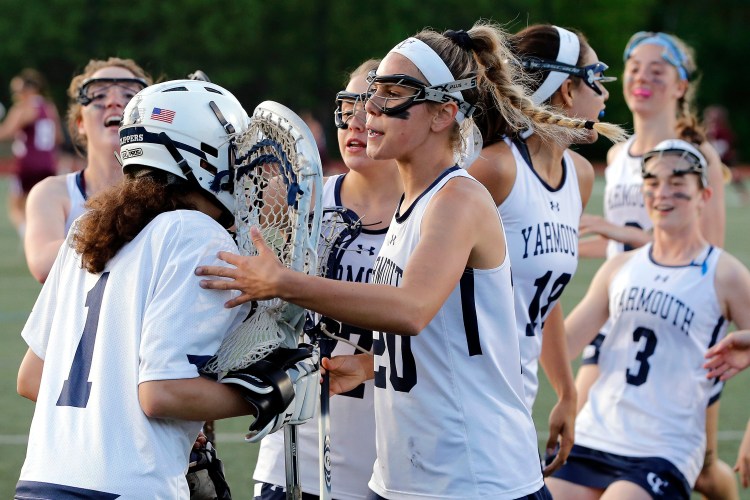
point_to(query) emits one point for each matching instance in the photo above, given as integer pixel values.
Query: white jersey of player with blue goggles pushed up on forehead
(623, 200)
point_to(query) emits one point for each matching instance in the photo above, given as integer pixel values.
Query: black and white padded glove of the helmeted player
(283, 388)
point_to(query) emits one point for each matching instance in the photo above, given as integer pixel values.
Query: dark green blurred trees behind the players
(298, 52)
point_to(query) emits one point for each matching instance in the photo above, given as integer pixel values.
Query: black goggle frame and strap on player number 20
(424, 92)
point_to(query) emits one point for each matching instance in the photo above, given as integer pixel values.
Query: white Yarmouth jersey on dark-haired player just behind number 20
(541, 225)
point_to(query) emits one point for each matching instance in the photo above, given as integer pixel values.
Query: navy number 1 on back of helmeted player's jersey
(76, 389)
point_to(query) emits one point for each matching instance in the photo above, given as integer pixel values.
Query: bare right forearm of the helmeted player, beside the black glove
(191, 399)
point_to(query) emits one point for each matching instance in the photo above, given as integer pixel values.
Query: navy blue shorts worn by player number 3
(598, 469)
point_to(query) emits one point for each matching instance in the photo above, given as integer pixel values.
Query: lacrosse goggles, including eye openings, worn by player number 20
(380, 93)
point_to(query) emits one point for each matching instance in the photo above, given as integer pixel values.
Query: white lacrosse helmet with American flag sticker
(187, 128)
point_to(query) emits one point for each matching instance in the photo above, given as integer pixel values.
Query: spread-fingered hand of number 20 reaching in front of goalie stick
(255, 277)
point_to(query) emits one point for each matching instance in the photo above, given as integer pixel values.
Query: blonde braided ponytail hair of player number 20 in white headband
(502, 95)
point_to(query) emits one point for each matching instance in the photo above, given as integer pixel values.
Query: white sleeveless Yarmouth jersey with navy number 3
(651, 396)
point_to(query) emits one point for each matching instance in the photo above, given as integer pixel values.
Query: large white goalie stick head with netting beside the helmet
(277, 182)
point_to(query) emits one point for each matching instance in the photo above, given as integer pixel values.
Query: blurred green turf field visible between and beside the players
(18, 292)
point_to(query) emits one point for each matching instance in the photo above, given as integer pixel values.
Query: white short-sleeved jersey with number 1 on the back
(100, 335)
